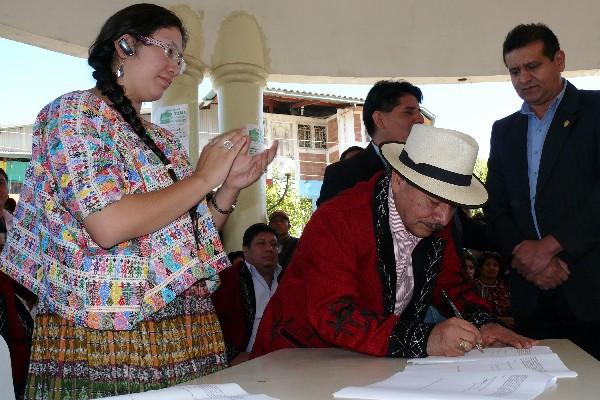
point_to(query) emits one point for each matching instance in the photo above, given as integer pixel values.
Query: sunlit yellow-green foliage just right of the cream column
(297, 208)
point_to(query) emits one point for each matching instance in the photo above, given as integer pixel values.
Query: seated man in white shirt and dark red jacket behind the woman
(245, 290)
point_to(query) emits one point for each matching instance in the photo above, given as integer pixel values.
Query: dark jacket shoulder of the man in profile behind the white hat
(345, 174)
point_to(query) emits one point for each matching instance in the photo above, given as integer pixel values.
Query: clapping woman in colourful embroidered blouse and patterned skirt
(112, 231)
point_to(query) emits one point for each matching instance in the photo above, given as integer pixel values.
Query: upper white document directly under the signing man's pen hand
(546, 363)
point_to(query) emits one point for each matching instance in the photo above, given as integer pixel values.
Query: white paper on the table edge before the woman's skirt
(230, 391)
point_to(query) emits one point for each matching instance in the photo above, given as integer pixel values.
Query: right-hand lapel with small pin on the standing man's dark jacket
(563, 121)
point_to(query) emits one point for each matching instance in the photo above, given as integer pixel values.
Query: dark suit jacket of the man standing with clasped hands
(567, 200)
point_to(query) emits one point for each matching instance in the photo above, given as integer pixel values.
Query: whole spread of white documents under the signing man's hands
(495, 373)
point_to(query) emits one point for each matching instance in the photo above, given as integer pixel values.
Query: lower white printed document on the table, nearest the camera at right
(483, 386)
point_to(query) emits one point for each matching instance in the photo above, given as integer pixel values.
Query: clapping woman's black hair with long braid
(135, 20)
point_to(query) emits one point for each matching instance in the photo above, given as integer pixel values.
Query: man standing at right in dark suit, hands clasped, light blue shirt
(544, 187)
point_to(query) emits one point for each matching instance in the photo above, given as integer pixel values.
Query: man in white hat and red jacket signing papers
(366, 265)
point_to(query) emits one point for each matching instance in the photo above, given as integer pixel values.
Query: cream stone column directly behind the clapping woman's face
(183, 91)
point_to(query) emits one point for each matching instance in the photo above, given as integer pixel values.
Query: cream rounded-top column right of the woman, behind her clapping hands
(239, 76)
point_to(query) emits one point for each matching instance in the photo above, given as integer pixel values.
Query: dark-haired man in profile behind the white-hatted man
(390, 110)
